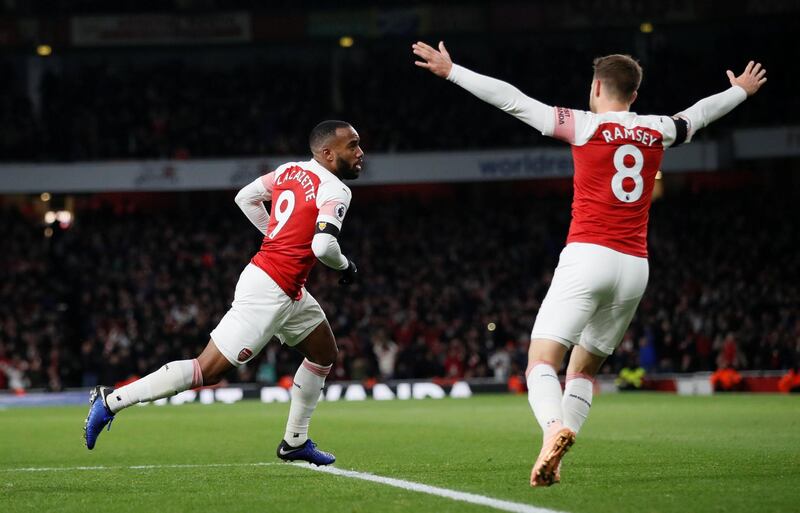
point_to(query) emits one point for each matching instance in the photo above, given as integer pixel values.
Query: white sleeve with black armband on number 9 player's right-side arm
(333, 200)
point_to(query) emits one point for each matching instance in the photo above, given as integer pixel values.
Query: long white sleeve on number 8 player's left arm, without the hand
(505, 97)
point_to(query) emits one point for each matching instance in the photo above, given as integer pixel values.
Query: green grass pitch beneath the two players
(637, 453)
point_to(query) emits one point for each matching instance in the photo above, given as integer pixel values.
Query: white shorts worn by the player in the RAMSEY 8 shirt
(593, 296)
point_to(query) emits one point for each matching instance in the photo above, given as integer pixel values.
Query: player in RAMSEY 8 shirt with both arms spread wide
(602, 272)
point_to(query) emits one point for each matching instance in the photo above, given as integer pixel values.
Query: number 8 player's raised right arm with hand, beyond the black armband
(710, 109)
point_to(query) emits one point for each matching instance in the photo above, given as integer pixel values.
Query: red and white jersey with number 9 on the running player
(303, 194)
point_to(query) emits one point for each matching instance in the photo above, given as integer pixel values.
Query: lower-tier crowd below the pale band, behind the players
(451, 284)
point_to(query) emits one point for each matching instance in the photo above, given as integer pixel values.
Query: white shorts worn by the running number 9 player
(261, 310)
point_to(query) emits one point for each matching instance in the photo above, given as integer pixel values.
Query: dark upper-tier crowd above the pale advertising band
(108, 104)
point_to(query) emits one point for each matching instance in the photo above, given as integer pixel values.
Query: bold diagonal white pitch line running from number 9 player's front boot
(472, 498)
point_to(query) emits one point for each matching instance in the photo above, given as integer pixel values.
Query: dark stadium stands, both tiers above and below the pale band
(140, 280)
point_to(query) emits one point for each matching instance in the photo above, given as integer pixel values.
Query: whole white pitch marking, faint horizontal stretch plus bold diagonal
(472, 498)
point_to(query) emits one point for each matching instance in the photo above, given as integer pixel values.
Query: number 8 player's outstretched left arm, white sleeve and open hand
(501, 94)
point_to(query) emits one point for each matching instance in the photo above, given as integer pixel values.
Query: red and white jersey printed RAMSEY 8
(616, 156)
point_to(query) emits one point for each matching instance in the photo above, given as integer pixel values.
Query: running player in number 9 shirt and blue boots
(309, 204)
